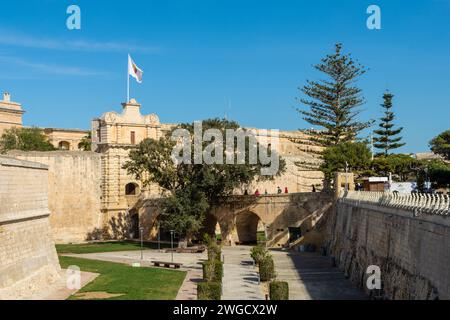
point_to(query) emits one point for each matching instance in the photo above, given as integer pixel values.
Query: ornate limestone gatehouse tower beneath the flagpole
(114, 135)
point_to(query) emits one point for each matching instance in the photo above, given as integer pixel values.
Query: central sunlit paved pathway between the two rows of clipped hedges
(240, 281)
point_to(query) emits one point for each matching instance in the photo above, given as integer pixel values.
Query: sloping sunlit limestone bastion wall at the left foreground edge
(28, 260)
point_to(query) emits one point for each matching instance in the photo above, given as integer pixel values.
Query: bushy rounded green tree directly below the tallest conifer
(353, 156)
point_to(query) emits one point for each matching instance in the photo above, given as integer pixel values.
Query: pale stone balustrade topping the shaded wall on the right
(436, 204)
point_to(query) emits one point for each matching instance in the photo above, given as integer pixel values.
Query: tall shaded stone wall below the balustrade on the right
(411, 247)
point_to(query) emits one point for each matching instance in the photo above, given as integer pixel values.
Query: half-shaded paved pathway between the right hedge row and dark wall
(312, 277)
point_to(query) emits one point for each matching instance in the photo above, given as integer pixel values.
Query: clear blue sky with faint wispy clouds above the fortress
(206, 58)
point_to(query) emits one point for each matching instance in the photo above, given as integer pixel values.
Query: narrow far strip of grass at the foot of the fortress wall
(107, 246)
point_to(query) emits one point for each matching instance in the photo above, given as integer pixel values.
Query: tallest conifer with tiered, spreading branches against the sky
(333, 103)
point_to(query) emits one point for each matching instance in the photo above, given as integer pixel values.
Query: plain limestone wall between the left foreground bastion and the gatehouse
(74, 179)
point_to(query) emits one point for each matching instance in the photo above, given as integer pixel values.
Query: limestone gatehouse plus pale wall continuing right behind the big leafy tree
(115, 134)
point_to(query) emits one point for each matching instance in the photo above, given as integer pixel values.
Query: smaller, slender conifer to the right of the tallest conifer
(385, 138)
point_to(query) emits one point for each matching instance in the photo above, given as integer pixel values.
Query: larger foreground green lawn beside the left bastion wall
(134, 283)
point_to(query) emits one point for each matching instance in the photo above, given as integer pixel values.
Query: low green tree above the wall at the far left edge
(25, 139)
